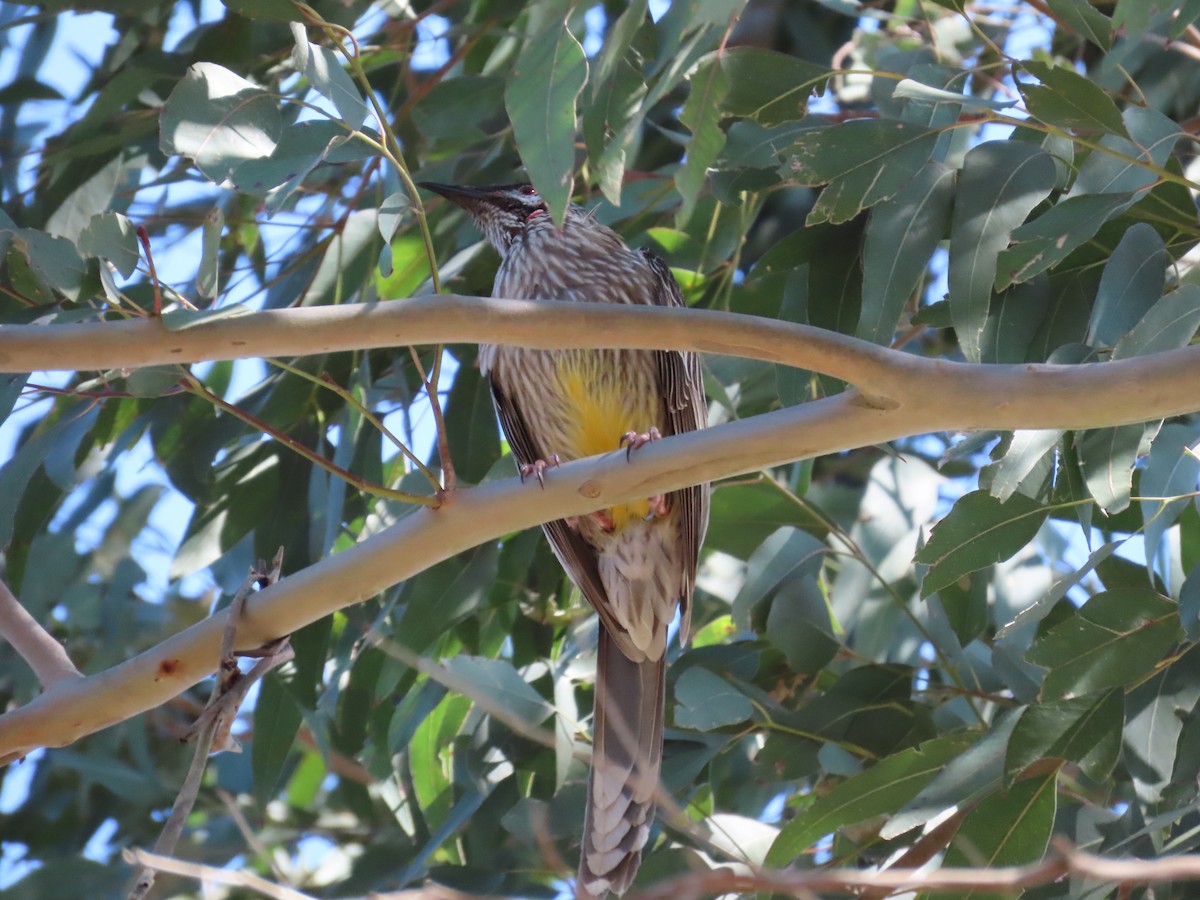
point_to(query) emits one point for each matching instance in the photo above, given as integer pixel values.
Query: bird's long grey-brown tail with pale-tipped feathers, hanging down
(627, 757)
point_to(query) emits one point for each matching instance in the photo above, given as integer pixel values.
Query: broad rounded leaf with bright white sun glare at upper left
(220, 121)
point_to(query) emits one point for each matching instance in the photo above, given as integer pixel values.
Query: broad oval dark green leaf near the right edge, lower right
(1114, 639)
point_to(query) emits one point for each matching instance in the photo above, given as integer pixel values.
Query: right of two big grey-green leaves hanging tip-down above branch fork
(1001, 184)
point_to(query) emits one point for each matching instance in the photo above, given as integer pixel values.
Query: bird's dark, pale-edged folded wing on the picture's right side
(683, 397)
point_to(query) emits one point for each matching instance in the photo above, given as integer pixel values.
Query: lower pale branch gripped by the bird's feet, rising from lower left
(472, 517)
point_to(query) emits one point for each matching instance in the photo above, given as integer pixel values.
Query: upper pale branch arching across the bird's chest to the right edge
(1136, 389)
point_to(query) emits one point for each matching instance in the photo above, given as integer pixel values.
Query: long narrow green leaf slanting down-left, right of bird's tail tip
(881, 789)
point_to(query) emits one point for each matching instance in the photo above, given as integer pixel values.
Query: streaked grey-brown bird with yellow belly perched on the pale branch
(637, 562)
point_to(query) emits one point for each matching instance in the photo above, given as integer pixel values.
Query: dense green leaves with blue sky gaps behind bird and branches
(1024, 670)
